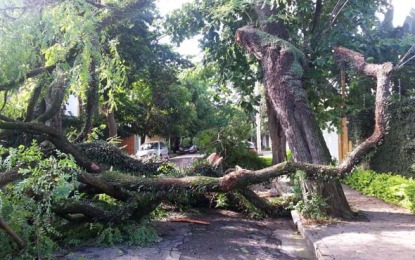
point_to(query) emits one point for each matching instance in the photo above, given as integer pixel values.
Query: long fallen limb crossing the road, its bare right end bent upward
(241, 178)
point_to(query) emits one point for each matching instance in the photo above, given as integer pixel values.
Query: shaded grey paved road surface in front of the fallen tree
(227, 236)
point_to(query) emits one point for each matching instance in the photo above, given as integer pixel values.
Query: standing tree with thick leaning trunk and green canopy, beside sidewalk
(291, 39)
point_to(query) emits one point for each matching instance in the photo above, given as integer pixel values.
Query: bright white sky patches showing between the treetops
(190, 47)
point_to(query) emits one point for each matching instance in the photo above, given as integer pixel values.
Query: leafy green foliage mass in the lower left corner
(26, 205)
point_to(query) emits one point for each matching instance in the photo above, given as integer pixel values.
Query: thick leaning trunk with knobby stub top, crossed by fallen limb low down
(282, 67)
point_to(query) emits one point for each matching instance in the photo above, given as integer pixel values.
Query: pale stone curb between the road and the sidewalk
(321, 251)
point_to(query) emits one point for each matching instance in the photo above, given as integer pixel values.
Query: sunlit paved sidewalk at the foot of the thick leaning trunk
(389, 233)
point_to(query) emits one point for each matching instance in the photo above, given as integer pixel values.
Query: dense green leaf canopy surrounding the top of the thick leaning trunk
(354, 25)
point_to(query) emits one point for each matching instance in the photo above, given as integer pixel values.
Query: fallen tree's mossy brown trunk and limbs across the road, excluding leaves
(141, 193)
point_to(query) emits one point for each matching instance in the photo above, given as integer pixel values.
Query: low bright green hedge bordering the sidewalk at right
(395, 189)
